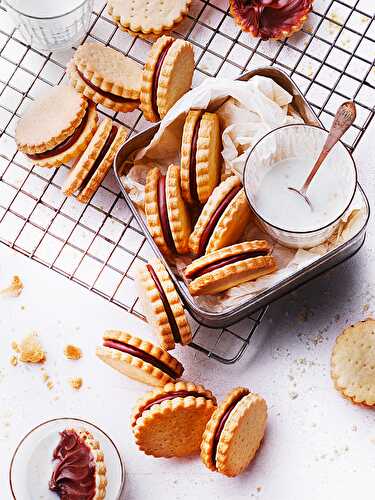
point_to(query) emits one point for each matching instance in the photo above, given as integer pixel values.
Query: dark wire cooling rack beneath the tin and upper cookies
(98, 245)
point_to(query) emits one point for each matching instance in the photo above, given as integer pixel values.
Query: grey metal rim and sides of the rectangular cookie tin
(236, 313)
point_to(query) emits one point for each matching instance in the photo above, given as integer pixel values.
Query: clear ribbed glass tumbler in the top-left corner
(48, 25)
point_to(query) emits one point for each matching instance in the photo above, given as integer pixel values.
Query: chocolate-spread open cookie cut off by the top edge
(268, 18)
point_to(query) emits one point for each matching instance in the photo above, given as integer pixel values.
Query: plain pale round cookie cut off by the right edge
(353, 363)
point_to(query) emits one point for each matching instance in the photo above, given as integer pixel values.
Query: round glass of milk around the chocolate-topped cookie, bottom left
(31, 466)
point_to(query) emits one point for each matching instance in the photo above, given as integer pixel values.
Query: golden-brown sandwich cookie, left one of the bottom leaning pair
(169, 422)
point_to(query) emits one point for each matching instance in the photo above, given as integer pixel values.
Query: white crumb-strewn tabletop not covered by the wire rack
(317, 445)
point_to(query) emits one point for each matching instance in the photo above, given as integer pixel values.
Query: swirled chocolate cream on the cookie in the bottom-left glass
(73, 477)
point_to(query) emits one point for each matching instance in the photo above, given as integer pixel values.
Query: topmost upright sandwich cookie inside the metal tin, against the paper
(200, 156)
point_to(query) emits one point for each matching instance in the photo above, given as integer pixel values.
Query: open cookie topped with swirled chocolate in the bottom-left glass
(80, 471)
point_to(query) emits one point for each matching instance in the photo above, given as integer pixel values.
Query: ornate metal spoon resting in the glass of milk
(345, 116)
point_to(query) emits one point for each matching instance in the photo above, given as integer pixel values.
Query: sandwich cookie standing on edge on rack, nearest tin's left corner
(88, 173)
